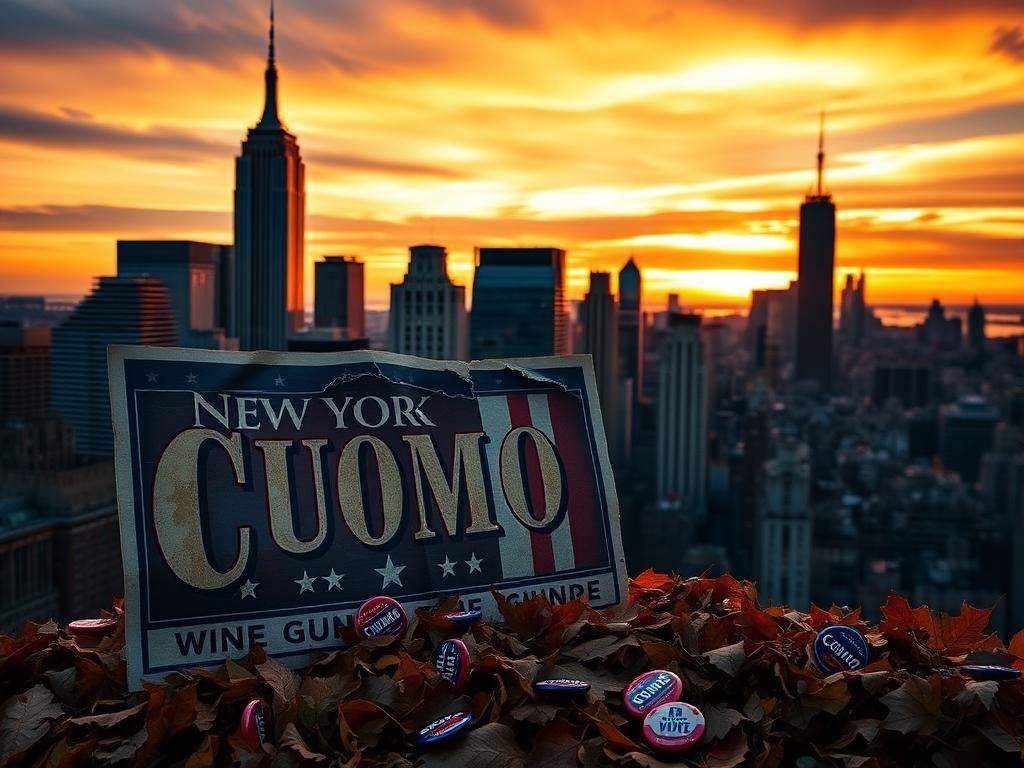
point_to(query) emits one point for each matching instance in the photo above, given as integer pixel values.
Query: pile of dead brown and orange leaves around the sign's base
(747, 668)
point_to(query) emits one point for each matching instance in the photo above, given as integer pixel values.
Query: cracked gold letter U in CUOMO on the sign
(280, 498)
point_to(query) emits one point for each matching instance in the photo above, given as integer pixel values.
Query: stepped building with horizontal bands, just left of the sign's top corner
(120, 311)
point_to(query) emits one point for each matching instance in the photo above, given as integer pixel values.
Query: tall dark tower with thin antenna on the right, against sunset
(816, 278)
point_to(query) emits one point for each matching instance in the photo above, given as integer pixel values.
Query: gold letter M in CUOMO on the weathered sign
(446, 492)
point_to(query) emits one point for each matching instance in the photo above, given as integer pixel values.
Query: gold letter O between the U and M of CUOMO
(351, 491)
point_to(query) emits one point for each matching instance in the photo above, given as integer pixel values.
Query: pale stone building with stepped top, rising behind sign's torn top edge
(429, 312)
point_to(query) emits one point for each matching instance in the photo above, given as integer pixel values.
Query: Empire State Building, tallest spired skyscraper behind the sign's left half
(270, 212)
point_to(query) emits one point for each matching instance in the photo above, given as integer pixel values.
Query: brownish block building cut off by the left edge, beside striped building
(25, 371)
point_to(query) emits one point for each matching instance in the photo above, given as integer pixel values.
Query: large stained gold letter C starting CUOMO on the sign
(177, 510)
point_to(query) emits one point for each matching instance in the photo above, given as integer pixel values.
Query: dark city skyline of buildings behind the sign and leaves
(829, 449)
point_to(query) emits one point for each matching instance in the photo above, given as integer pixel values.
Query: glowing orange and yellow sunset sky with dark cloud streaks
(684, 134)
